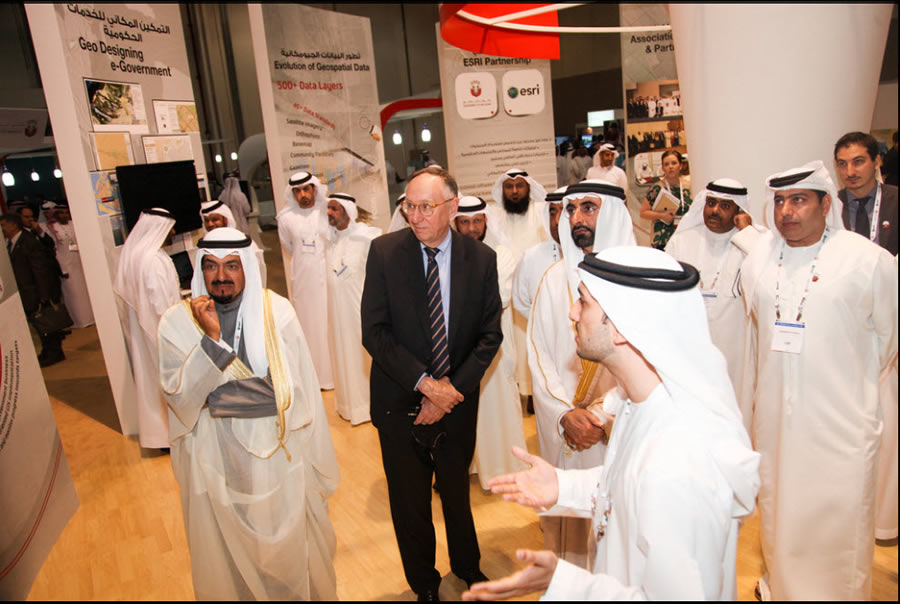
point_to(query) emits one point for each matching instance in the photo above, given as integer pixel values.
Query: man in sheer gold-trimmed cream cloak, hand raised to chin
(250, 444)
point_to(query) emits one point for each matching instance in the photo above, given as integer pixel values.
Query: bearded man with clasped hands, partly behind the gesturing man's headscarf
(568, 390)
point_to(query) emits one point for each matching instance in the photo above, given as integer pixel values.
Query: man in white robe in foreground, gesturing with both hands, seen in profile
(680, 473)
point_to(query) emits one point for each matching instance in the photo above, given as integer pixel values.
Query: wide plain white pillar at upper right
(767, 87)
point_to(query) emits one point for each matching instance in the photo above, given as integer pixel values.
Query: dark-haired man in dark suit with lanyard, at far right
(856, 157)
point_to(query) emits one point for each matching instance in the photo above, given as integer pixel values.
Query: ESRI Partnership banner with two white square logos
(498, 114)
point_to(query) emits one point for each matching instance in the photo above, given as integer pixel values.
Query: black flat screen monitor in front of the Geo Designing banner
(170, 185)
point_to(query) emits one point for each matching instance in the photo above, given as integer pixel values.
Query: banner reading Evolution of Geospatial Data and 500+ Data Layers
(316, 71)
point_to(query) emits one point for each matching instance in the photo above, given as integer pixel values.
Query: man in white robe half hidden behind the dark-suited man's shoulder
(500, 426)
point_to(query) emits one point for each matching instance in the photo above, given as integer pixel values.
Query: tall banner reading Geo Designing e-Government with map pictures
(113, 75)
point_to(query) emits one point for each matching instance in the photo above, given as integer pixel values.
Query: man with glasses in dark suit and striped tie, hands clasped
(425, 425)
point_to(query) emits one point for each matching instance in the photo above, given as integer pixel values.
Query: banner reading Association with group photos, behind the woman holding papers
(654, 118)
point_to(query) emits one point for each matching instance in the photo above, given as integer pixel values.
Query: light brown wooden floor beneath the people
(127, 542)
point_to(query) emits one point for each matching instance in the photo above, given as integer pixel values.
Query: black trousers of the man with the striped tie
(409, 468)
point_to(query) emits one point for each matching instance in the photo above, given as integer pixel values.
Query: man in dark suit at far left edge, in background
(36, 278)
